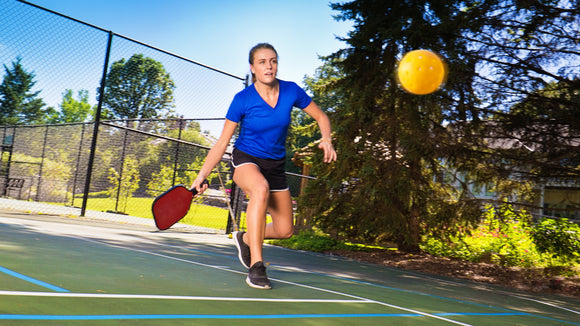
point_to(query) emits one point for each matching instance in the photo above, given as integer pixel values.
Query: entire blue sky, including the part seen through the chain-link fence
(63, 54)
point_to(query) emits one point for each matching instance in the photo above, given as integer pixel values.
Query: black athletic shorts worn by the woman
(273, 170)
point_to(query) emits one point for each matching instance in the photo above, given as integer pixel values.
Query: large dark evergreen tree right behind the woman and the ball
(388, 140)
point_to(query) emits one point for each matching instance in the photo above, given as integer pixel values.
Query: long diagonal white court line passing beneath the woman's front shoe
(359, 299)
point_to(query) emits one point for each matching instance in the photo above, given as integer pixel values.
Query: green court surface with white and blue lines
(67, 271)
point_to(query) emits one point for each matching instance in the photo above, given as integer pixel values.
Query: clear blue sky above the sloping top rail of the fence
(220, 33)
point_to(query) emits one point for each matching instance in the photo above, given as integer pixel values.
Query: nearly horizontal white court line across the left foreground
(168, 297)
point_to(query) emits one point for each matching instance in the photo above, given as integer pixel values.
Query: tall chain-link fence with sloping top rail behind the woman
(119, 168)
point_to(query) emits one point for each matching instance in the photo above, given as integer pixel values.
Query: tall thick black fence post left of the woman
(96, 128)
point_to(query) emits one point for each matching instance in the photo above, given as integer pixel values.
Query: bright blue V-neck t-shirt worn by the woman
(263, 129)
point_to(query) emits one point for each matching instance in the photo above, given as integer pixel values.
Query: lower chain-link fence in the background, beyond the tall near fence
(49, 164)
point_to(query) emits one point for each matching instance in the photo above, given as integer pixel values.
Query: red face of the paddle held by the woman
(171, 206)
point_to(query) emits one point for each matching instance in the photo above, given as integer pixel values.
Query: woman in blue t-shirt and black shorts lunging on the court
(263, 111)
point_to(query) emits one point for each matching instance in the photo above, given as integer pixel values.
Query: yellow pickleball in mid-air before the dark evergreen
(421, 72)
